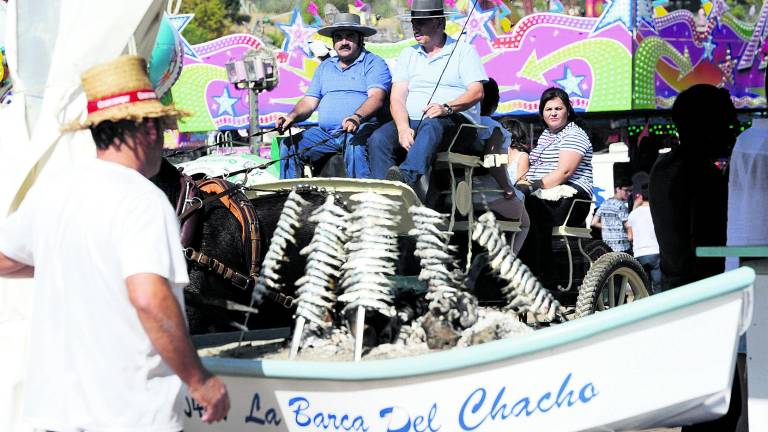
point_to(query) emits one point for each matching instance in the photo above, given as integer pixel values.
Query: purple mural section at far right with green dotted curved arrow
(713, 47)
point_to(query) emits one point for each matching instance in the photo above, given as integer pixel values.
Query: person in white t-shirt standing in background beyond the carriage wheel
(644, 242)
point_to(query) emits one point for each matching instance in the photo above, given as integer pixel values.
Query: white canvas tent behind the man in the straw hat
(48, 44)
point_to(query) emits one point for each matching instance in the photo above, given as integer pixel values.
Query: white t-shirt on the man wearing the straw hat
(91, 365)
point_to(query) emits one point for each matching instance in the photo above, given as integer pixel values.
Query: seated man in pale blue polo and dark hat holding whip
(437, 84)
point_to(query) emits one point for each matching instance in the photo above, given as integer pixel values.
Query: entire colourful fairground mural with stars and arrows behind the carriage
(596, 60)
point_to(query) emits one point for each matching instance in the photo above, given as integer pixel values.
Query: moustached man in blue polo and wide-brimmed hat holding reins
(347, 91)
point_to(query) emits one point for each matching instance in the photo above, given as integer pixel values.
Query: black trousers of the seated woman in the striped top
(536, 252)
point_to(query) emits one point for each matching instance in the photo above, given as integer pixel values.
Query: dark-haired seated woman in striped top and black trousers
(562, 156)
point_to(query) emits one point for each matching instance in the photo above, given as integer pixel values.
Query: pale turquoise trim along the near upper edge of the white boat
(449, 360)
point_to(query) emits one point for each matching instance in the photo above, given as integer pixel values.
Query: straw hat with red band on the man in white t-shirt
(121, 90)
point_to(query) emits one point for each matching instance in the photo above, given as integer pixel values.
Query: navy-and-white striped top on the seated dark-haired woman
(545, 155)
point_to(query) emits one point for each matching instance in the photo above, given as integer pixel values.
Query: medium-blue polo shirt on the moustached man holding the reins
(342, 91)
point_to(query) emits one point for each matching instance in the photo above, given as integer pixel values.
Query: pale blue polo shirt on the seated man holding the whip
(422, 74)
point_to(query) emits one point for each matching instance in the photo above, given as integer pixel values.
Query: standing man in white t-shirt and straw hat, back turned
(109, 347)
